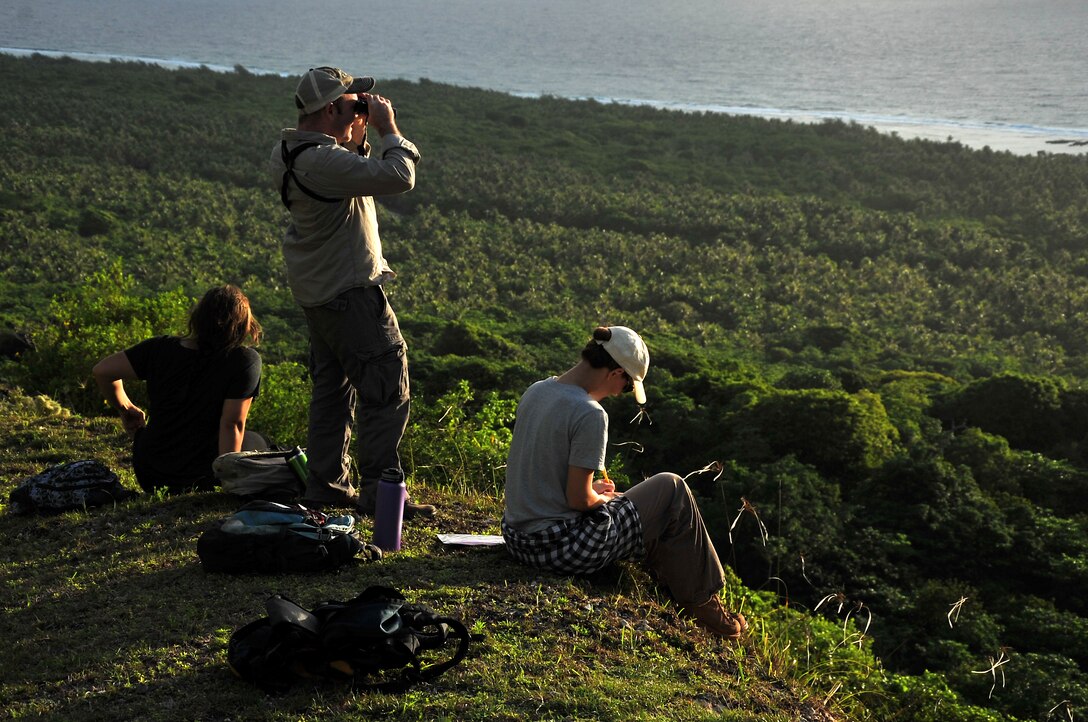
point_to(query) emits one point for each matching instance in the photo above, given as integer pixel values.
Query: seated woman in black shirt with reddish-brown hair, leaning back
(200, 389)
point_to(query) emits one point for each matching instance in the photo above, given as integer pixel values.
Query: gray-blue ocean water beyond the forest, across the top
(1006, 73)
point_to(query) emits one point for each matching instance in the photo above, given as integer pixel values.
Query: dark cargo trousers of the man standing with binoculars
(360, 367)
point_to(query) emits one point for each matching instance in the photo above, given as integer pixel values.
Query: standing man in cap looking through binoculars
(328, 178)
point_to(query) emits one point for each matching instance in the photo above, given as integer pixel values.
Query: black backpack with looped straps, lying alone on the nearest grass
(375, 642)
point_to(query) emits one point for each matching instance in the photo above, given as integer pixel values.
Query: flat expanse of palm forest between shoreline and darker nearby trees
(769, 239)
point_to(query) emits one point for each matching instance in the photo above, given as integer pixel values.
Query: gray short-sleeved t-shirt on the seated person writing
(558, 426)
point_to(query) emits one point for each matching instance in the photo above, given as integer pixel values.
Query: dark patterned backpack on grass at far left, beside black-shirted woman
(73, 486)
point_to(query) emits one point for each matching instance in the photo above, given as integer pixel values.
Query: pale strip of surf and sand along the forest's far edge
(1020, 140)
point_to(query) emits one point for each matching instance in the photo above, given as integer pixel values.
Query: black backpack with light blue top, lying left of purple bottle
(269, 538)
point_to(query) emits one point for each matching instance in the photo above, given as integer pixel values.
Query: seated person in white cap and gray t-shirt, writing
(557, 517)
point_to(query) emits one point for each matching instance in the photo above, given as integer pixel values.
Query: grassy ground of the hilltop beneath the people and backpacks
(109, 616)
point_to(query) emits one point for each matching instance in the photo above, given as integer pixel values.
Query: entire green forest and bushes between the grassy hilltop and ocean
(883, 341)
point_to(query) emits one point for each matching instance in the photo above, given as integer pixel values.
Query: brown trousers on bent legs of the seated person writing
(679, 552)
